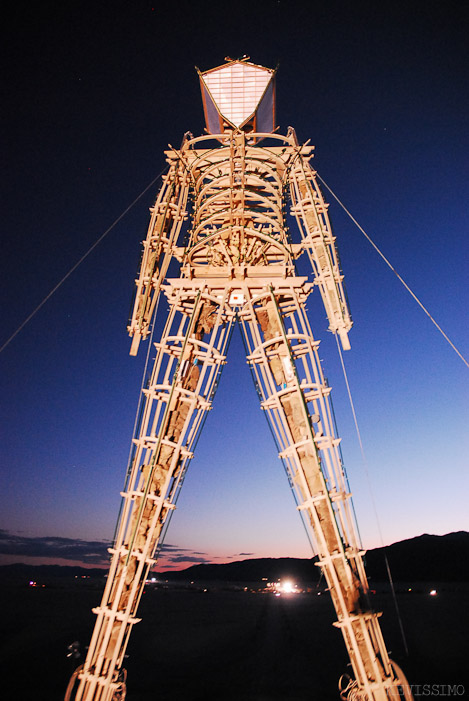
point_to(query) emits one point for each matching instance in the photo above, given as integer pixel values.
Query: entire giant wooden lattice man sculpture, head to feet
(223, 215)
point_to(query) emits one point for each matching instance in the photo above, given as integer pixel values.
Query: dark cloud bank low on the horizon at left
(86, 551)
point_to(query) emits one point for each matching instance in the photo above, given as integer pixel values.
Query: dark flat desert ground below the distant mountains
(227, 645)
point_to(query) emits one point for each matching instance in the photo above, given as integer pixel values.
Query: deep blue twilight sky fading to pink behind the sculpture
(94, 93)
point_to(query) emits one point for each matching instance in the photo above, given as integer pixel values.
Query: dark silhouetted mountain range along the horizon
(425, 558)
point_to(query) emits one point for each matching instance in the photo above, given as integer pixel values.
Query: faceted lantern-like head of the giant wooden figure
(237, 93)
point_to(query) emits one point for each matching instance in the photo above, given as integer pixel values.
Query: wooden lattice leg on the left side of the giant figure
(189, 358)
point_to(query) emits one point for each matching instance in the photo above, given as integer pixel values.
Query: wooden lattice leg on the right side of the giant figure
(287, 370)
